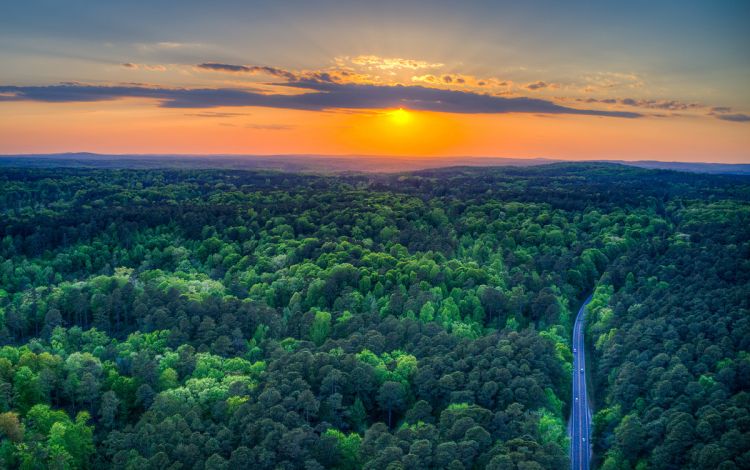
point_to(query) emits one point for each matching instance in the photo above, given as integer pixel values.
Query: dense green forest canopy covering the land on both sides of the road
(205, 319)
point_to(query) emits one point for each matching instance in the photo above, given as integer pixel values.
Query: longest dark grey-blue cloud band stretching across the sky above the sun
(317, 95)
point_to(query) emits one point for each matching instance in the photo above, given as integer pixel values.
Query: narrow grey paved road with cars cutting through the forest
(579, 427)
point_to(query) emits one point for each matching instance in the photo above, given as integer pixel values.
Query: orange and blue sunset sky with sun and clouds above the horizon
(632, 80)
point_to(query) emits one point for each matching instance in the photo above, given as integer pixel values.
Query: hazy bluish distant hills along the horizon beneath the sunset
(322, 163)
